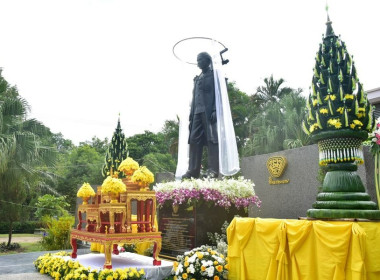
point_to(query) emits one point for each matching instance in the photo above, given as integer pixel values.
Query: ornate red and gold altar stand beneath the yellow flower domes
(110, 223)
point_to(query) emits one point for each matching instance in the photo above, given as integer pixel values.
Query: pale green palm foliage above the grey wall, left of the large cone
(278, 125)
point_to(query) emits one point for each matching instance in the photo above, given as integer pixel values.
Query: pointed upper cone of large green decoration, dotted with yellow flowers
(337, 99)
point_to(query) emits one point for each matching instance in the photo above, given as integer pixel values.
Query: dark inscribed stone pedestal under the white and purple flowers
(185, 227)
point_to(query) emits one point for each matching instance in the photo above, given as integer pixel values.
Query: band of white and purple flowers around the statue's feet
(224, 193)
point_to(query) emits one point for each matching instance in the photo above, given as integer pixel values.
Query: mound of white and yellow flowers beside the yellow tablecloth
(200, 263)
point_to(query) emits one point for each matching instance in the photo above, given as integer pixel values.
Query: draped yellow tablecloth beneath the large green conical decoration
(273, 249)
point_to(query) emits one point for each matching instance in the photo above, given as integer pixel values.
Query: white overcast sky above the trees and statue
(79, 63)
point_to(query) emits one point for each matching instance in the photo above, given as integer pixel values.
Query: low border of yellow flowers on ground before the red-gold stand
(59, 268)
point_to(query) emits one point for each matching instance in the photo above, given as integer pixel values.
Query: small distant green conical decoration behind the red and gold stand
(116, 153)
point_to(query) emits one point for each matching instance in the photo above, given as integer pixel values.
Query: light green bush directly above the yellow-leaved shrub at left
(49, 205)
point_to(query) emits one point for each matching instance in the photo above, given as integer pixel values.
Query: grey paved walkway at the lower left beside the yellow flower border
(20, 266)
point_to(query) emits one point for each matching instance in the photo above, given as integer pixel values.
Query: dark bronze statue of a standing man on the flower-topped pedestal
(203, 126)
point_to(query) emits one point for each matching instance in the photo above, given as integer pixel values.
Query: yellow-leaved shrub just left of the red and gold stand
(58, 232)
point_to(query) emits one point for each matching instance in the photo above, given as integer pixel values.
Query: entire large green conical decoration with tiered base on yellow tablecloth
(339, 119)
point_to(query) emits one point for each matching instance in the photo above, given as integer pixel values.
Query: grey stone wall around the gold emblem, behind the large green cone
(293, 199)
